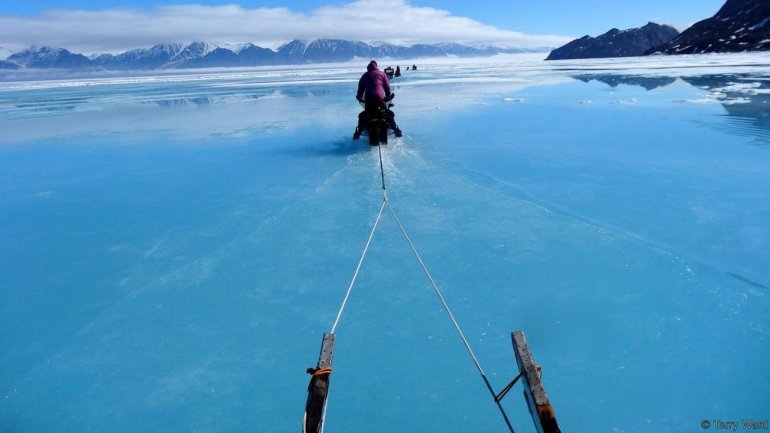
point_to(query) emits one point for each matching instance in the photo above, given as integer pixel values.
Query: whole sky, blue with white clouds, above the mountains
(118, 25)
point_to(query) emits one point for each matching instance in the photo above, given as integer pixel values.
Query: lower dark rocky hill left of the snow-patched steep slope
(616, 43)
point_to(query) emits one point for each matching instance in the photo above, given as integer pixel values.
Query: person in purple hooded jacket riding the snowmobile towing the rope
(374, 92)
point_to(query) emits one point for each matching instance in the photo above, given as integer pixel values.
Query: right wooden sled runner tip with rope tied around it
(534, 391)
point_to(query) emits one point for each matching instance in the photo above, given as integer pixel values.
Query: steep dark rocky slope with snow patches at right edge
(740, 25)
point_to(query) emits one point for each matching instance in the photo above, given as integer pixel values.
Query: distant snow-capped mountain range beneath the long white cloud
(208, 55)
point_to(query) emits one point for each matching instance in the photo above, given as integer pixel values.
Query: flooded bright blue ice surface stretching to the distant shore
(173, 247)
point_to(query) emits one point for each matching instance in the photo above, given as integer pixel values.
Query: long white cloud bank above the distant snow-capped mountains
(116, 30)
